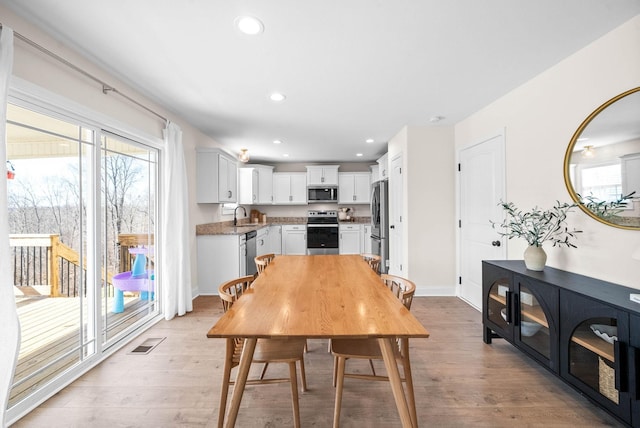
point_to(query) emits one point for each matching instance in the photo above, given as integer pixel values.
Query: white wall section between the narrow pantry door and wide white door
(429, 206)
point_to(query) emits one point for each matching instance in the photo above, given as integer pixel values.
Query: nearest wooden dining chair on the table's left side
(267, 351)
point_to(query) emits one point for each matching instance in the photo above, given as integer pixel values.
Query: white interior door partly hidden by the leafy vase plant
(482, 185)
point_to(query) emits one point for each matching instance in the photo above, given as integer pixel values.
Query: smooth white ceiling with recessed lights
(351, 69)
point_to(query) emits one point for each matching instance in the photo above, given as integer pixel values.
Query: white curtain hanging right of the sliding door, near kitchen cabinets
(176, 256)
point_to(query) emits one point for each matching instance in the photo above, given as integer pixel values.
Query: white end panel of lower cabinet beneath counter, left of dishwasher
(220, 258)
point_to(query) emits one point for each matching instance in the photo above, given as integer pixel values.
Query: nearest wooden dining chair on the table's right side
(369, 349)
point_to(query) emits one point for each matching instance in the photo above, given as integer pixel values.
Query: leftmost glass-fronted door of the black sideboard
(497, 305)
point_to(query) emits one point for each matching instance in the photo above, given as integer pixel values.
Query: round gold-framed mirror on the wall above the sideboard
(602, 162)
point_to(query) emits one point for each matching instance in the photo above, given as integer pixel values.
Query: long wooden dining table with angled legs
(319, 297)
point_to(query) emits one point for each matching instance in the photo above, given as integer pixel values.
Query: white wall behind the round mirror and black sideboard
(540, 118)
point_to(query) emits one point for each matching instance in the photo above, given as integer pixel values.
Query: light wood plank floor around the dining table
(459, 382)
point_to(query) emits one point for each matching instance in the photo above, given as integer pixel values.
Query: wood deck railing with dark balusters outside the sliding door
(41, 259)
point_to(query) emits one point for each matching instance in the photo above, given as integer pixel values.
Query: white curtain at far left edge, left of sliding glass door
(9, 323)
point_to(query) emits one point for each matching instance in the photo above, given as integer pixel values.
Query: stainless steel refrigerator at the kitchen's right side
(380, 222)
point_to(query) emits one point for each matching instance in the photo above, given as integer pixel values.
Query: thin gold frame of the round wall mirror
(567, 167)
